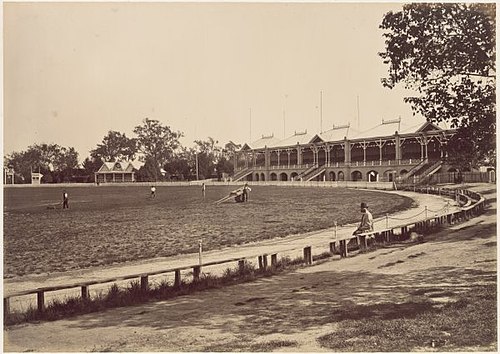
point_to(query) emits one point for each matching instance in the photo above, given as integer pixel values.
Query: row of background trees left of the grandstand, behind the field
(155, 144)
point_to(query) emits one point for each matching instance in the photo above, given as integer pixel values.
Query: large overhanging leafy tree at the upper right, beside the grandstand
(445, 53)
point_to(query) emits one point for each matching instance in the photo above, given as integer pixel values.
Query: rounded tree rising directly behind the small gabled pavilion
(114, 147)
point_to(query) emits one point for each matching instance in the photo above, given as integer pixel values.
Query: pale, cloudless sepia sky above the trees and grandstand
(230, 71)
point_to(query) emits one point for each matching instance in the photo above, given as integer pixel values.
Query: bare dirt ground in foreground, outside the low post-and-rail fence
(290, 308)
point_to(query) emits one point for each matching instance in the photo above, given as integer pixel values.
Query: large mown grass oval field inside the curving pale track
(114, 224)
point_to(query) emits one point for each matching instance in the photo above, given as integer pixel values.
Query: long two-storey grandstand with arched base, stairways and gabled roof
(389, 151)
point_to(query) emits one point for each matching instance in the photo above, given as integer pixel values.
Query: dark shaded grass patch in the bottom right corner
(471, 321)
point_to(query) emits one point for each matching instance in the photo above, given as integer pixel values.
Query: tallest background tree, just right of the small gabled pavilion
(157, 142)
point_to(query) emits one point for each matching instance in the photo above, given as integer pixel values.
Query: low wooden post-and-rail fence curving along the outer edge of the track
(472, 204)
